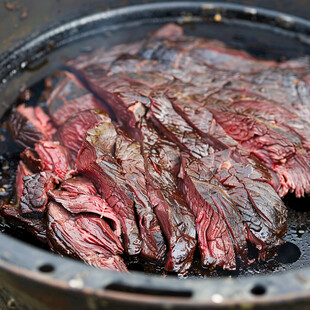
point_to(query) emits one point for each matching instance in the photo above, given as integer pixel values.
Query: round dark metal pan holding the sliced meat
(31, 278)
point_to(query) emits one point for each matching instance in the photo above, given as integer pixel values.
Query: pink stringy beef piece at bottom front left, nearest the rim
(87, 237)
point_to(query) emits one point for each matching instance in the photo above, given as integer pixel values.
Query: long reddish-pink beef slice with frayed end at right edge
(274, 149)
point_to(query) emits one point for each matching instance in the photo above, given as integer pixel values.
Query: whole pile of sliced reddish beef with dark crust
(157, 147)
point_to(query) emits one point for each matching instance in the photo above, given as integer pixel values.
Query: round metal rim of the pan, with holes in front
(39, 280)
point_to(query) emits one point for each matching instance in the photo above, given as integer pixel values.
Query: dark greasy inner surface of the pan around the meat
(24, 82)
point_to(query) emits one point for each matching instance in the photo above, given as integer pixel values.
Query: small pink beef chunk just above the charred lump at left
(55, 158)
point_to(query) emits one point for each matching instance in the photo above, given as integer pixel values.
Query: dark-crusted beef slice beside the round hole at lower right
(262, 211)
